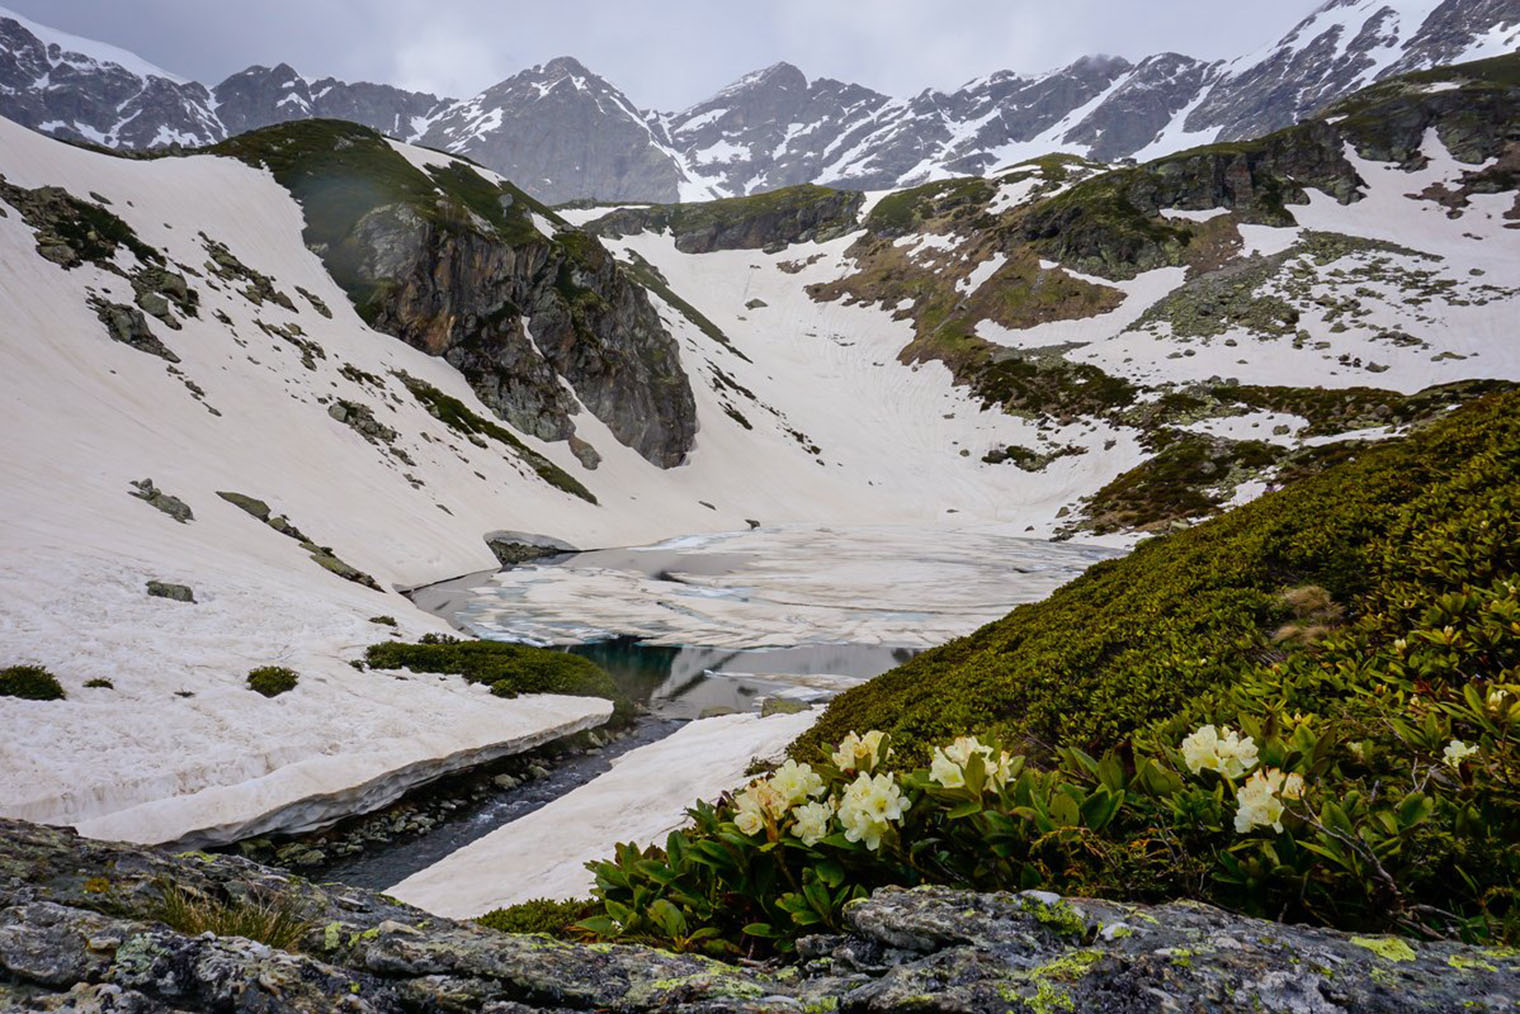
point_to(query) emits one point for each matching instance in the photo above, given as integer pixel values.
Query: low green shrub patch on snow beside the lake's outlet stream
(508, 670)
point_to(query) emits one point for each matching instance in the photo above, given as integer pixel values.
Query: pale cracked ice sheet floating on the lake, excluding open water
(788, 586)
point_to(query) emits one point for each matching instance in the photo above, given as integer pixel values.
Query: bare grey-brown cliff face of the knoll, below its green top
(515, 318)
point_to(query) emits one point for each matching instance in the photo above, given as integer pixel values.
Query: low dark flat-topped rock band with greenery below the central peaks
(770, 221)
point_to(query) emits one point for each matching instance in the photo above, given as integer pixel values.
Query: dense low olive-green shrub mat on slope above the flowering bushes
(1136, 639)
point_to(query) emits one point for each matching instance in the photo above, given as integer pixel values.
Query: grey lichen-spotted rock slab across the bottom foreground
(78, 933)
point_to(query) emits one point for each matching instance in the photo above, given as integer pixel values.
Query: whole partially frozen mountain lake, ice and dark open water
(715, 621)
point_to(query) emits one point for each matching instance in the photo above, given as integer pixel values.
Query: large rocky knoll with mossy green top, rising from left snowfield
(478, 273)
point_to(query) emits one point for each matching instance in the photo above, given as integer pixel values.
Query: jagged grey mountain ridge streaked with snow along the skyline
(565, 133)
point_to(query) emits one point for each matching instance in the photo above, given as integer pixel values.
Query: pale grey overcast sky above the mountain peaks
(665, 54)
